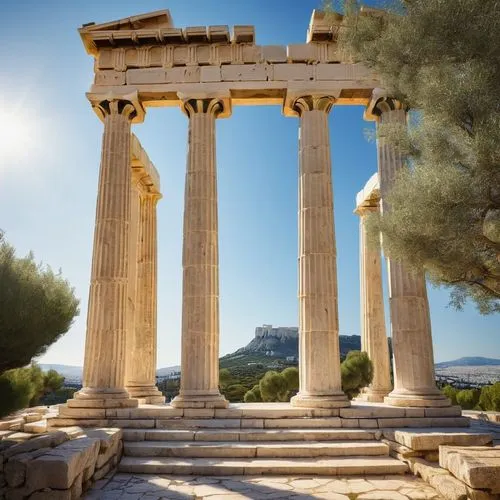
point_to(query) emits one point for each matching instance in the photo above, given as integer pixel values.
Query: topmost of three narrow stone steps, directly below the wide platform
(249, 435)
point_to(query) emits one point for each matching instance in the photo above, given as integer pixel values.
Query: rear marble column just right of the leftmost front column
(141, 348)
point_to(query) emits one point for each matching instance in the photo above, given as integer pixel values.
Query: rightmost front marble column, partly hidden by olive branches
(414, 378)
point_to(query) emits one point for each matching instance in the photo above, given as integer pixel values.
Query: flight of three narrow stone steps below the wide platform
(223, 452)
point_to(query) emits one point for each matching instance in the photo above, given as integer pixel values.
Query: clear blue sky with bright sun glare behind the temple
(50, 142)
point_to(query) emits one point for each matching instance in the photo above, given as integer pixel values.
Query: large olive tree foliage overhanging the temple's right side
(441, 58)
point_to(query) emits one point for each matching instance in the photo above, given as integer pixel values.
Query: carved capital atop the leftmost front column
(111, 104)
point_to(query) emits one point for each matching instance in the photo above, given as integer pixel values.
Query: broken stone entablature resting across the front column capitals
(148, 55)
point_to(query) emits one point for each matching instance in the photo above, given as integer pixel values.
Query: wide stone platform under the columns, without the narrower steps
(360, 414)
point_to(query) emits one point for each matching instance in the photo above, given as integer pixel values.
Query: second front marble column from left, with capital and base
(200, 260)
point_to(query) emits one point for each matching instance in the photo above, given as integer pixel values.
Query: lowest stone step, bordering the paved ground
(235, 466)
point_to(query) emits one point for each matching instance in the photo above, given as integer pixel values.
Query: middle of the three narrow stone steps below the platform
(290, 449)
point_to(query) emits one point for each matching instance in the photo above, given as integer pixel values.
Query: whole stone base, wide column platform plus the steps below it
(260, 438)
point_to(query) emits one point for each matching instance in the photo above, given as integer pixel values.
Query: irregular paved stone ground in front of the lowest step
(152, 487)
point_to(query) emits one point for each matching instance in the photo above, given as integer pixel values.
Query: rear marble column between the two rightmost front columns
(373, 335)
